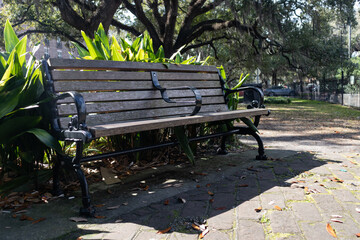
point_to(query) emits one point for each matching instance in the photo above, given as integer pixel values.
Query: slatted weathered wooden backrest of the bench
(120, 91)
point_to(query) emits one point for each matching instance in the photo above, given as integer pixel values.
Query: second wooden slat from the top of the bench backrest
(133, 76)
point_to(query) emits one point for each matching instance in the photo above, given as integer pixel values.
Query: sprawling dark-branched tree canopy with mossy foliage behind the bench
(297, 34)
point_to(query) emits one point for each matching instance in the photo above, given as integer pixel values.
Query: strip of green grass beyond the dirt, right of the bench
(317, 110)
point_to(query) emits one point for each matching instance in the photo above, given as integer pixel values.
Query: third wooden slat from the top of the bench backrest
(63, 86)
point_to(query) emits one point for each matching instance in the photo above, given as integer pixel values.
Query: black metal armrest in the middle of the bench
(198, 98)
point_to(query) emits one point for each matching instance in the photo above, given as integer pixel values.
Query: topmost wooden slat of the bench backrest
(57, 63)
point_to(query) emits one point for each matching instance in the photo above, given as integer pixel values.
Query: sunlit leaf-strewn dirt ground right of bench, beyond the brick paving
(309, 130)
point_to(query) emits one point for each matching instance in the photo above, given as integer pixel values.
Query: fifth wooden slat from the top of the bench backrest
(70, 109)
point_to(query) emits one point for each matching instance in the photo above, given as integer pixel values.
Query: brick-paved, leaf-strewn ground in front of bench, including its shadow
(312, 179)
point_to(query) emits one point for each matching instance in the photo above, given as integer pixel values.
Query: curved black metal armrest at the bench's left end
(78, 122)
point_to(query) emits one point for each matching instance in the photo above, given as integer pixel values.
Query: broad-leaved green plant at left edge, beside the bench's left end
(24, 139)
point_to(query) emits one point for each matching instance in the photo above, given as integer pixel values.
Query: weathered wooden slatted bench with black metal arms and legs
(95, 99)
